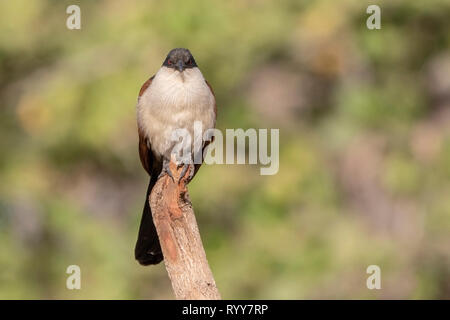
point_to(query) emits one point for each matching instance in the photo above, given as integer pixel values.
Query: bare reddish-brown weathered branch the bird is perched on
(184, 255)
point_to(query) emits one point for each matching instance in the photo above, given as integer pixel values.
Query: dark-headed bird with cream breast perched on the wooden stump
(174, 98)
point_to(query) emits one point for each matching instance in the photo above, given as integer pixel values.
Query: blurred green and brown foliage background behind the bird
(364, 118)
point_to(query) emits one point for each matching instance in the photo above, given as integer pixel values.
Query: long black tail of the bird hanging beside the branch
(148, 249)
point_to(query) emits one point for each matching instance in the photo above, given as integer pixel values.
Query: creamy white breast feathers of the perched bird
(173, 101)
